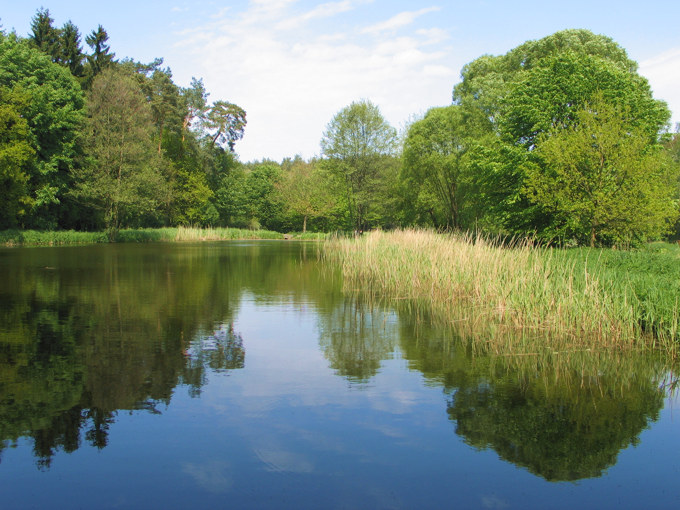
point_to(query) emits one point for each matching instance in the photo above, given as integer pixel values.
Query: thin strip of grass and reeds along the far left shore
(168, 234)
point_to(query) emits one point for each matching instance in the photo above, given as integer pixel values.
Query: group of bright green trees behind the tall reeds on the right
(560, 140)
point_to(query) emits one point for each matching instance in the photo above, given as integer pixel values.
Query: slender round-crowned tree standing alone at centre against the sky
(358, 144)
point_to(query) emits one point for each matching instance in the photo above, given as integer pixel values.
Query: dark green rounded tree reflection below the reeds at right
(564, 416)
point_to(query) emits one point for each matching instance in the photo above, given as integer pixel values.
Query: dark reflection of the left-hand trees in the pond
(81, 339)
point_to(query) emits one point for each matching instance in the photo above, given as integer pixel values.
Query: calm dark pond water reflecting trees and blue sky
(238, 375)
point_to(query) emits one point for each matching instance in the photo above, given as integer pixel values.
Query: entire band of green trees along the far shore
(559, 140)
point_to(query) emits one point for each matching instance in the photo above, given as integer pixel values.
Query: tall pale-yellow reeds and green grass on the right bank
(522, 299)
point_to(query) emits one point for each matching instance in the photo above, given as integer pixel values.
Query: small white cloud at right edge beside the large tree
(663, 73)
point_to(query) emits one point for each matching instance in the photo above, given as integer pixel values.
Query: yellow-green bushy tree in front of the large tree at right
(602, 179)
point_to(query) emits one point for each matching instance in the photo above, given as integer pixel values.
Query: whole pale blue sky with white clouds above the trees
(294, 64)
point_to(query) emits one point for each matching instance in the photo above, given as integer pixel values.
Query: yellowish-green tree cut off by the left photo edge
(16, 157)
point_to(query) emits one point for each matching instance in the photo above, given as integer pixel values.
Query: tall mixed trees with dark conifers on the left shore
(88, 142)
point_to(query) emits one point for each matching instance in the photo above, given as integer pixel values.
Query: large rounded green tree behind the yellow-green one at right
(535, 89)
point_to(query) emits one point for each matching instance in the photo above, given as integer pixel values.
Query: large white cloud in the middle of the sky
(292, 82)
